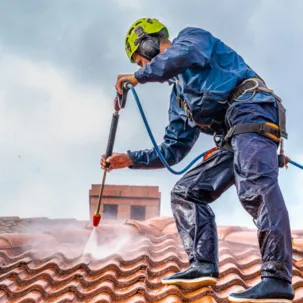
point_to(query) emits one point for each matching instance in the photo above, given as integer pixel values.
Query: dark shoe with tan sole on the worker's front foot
(198, 274)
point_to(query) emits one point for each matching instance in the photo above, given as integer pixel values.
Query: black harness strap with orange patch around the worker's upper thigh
(268, 130)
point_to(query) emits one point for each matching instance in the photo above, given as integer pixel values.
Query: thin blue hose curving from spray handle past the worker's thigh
(157, 148)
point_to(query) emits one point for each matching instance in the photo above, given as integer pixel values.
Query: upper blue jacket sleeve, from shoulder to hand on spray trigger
(193, 46)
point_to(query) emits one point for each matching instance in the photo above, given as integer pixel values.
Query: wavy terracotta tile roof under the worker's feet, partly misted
(49, 265)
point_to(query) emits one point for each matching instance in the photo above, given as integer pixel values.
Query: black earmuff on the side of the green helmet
(149, 45)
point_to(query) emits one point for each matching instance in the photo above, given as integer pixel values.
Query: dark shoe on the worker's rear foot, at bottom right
(269, 290)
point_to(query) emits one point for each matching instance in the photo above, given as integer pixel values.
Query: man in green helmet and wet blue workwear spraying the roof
(216, 93)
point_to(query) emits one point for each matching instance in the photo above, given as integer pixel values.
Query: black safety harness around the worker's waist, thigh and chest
(222, 134)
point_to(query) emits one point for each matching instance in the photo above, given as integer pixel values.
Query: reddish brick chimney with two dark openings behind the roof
(122, 202)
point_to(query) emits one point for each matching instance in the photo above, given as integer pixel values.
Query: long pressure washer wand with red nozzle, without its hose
(120, 102)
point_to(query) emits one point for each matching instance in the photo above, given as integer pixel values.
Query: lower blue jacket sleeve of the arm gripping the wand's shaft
(176, 144)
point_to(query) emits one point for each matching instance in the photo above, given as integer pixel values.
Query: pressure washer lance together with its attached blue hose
(120, 102)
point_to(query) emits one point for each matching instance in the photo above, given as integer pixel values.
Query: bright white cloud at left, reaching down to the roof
(44, 118)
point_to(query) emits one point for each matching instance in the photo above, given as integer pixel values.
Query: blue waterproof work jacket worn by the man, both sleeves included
(205, 71)
